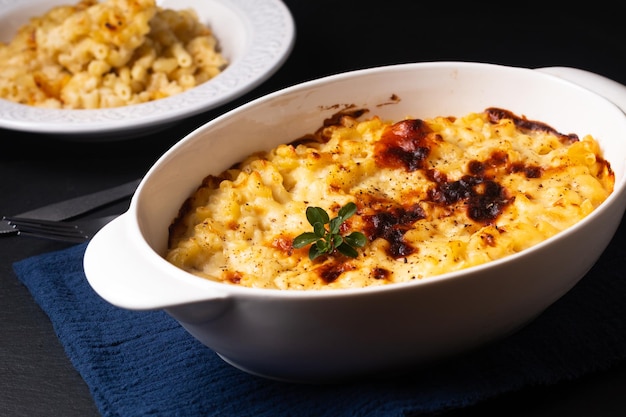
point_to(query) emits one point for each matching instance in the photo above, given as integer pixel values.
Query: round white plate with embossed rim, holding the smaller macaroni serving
(256, 36)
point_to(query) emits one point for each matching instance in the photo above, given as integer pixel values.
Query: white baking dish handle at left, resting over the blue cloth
(128, 274)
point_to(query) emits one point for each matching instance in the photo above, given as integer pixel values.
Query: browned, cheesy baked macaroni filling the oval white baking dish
(433, 196)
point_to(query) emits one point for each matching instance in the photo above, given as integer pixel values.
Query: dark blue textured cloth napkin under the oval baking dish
(144, 363)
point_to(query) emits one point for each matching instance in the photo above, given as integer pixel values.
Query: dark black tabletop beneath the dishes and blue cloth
(37, 379)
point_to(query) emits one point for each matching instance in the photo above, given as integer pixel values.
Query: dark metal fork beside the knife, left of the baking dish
(65, 231)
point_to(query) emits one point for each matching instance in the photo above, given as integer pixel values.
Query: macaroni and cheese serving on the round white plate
(115, 53)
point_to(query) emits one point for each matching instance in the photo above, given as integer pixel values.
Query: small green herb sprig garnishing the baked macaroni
(325, 240)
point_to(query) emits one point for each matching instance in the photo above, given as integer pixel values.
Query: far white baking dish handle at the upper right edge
(609, 89)
